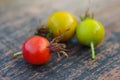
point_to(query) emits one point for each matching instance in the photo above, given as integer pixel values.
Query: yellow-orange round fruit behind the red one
(62, 22)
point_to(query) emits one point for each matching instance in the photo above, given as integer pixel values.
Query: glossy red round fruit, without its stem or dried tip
(35, 50)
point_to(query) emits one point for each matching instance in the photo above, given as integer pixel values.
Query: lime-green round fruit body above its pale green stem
(90, 30)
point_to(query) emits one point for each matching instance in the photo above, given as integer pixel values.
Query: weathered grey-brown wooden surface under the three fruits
(18, 17)
